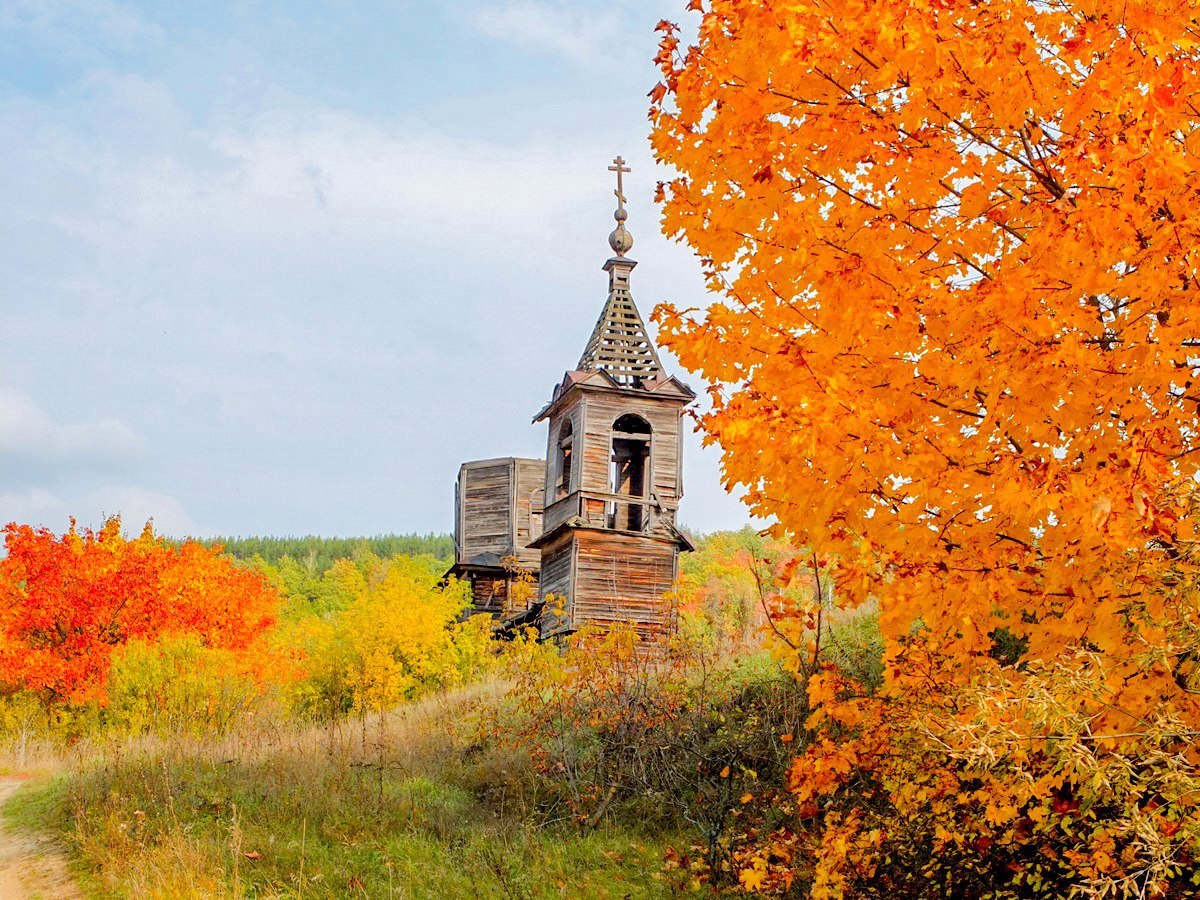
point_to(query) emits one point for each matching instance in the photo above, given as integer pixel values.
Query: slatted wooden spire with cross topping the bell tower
(620, 344)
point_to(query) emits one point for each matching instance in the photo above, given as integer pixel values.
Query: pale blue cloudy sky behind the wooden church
(281, 267)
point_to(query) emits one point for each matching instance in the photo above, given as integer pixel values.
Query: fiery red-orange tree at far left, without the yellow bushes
(68, 603)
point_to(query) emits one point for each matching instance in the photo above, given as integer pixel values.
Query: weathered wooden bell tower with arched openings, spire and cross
(610, 542)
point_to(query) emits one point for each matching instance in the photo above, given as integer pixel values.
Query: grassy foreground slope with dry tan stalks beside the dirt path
(405, 806)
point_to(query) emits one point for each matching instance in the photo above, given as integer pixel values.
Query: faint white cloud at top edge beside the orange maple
(586, 38)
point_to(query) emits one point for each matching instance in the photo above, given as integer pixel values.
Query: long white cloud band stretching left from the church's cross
(338, 171)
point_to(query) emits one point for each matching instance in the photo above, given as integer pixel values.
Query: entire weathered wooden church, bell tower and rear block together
(596, 523)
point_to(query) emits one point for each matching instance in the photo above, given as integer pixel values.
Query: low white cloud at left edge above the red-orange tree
(28, 433)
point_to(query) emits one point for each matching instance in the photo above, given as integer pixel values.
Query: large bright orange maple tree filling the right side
(957, 349)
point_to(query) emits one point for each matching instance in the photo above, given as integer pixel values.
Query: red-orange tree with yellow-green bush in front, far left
(103, 632)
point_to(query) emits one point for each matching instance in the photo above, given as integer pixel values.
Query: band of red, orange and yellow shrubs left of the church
(104, 633)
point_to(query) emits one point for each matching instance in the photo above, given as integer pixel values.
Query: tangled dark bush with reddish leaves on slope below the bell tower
(675, 742)
